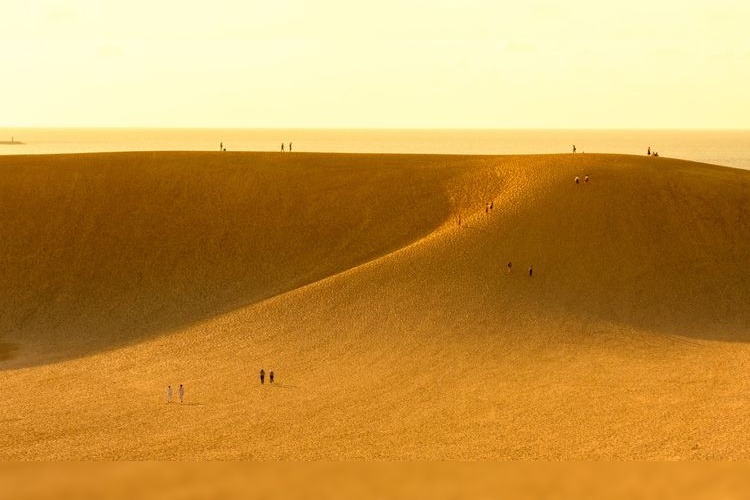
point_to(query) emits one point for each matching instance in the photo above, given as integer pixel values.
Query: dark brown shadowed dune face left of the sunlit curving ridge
(104, 250)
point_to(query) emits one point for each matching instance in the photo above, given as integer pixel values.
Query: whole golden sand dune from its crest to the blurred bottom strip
(394, 333)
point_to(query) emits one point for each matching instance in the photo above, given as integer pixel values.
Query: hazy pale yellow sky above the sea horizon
(384, 63)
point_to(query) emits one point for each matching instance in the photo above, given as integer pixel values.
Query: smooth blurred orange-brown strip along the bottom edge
(376, 480)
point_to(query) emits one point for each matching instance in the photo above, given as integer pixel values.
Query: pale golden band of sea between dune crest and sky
(720, 147)
